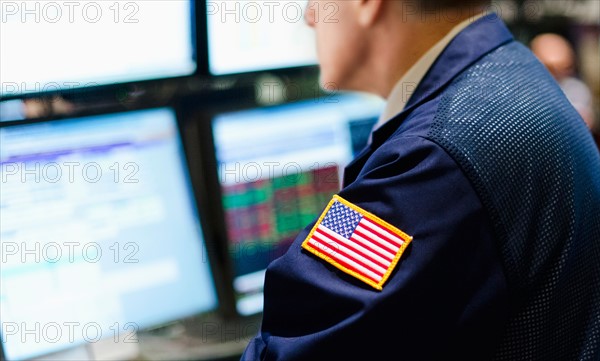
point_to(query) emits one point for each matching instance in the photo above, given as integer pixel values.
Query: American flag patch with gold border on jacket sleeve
(357, 242)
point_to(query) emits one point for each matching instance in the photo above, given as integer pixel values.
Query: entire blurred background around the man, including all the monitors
(156, 156)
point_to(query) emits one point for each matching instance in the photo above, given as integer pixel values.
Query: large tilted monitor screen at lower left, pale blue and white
(100, 231)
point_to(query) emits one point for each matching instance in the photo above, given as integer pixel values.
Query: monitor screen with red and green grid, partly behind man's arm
(278, 167)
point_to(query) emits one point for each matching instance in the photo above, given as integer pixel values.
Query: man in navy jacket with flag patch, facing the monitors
(468, 228)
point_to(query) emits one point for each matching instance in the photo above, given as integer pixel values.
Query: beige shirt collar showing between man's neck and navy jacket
(408, 83)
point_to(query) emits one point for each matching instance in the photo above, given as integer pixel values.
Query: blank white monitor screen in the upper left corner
(48, 46)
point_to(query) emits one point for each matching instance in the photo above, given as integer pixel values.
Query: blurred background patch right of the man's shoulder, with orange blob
(565, 37)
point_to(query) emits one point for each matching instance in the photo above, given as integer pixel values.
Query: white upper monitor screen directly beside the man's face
(251, 36)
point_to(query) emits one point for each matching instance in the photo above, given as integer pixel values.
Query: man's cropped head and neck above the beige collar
(367, 45)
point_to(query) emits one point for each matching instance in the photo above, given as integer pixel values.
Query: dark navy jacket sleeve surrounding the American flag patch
(445, 299)
